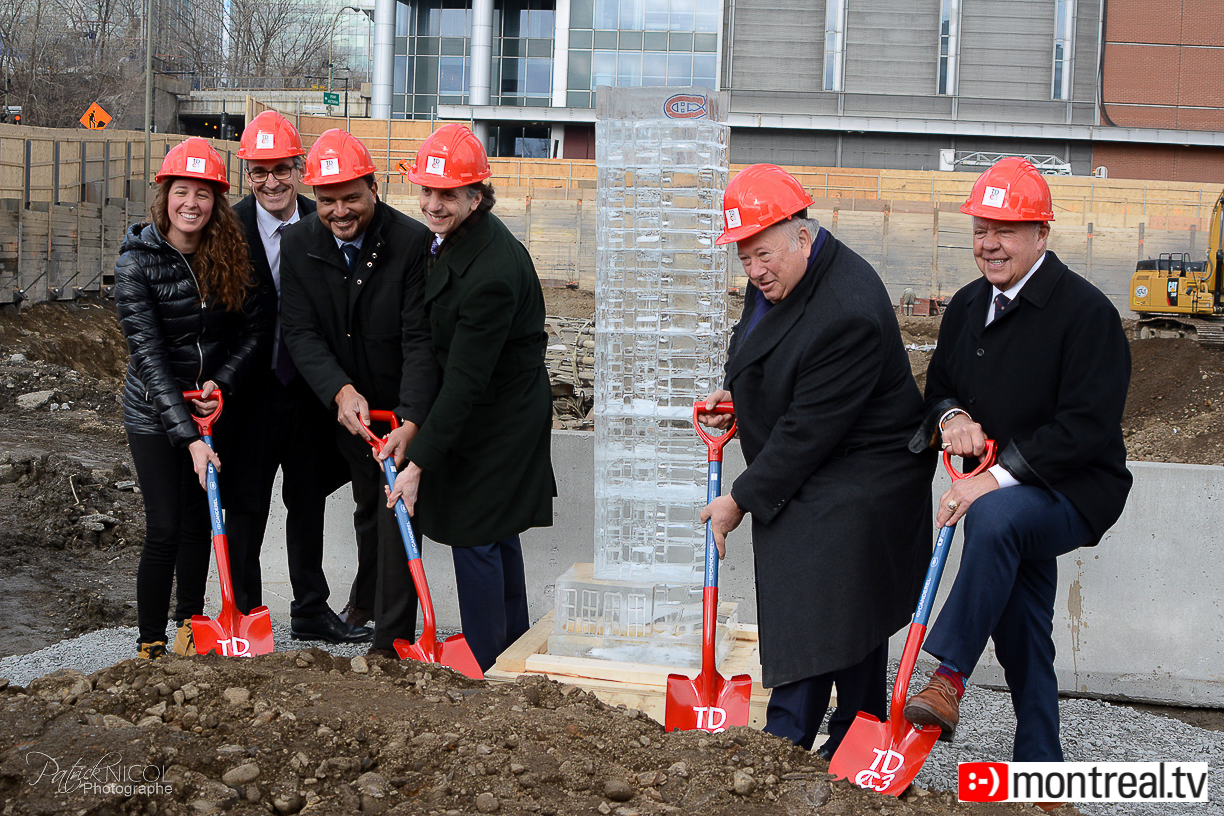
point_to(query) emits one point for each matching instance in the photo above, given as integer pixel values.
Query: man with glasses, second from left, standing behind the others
(271, 421)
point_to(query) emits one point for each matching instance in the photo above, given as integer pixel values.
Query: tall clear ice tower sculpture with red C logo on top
(660, 343)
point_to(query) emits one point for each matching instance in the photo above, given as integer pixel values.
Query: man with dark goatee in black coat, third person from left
(353, 283)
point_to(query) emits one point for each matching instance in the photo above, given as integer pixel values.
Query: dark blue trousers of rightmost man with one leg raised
(1004, 593)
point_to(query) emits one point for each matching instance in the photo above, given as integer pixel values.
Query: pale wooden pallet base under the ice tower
(637, 686)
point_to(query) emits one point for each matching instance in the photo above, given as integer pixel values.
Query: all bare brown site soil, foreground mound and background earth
(304, 731)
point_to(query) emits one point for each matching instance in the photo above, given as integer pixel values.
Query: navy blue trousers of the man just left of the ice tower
(493, 598)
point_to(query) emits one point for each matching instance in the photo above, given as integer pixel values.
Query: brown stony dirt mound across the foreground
(305, 732)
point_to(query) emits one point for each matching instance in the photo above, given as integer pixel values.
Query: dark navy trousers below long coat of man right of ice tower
(796, 710)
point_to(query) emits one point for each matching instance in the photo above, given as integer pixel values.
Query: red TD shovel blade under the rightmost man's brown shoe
(883, 757)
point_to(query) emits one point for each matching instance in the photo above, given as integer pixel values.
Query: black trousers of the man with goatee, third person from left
(395, 595)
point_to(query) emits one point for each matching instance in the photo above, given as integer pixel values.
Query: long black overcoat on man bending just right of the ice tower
(841, 511)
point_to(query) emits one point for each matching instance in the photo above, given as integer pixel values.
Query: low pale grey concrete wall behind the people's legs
(1139, 617)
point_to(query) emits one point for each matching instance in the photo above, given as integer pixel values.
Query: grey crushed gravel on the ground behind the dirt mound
(1092, 731)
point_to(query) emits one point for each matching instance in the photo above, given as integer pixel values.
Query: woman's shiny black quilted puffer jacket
(176, 342)
